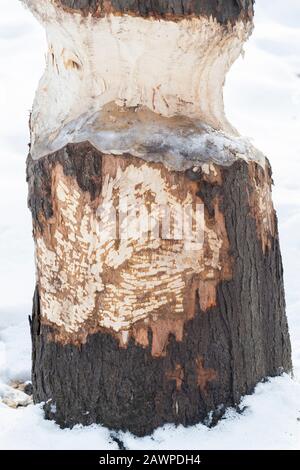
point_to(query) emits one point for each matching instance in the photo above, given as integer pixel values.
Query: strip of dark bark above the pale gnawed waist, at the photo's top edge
(221, 10)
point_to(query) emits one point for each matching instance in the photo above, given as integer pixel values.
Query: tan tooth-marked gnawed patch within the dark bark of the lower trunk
(141, 287)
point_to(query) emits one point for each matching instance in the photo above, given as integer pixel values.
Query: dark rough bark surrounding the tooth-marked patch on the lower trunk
(227, 345)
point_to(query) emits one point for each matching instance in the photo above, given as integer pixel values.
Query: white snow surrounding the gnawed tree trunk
(263, 101)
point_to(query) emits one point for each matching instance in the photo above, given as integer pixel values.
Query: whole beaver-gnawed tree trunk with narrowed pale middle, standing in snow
(136, 332)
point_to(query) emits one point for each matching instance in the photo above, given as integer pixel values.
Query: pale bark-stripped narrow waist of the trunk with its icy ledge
(129, 84)
